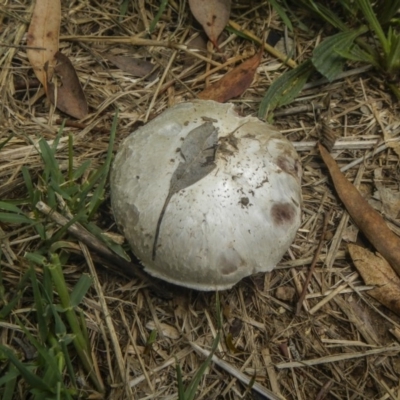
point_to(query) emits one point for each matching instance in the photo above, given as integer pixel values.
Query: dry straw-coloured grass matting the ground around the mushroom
(341, 338)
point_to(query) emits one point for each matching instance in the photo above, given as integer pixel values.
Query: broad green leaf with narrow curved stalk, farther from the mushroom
(325, 57)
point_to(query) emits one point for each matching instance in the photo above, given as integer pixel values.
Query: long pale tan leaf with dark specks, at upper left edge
(44, 33)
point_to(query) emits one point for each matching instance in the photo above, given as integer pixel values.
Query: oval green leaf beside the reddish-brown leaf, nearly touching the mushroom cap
(284, 89)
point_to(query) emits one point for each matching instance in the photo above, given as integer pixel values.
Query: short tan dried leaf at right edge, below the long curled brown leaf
(376, 271)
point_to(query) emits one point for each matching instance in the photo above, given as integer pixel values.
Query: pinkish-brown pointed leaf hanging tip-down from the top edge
(213, 15)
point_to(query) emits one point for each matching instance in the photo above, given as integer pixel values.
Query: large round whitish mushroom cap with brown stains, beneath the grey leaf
(237, 220)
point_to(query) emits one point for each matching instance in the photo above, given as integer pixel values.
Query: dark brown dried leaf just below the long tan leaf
(68, 96)
